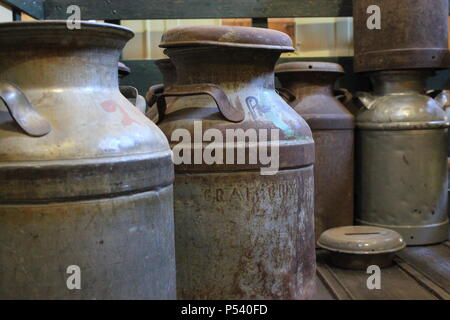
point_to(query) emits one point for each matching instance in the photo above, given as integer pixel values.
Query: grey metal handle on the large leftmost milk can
(22, 111)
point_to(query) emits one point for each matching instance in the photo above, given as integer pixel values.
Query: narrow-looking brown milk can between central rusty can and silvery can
(312, 86)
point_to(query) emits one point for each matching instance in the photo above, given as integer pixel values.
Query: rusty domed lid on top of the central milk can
(245, 37)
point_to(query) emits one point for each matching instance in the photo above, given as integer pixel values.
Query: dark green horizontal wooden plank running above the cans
(198, 9)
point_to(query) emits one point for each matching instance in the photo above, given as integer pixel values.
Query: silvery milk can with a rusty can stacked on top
(402, 159)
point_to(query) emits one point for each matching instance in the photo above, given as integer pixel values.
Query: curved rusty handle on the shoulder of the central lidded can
(230, 112)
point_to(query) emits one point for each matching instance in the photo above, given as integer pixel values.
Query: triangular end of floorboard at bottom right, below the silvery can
(432, 261)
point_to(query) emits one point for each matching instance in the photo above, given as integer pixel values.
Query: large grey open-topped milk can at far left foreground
(86, 179)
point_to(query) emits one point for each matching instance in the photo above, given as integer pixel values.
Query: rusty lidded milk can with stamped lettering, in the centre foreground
(244, 168)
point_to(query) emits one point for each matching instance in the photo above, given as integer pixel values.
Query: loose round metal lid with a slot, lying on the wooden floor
(361, 240)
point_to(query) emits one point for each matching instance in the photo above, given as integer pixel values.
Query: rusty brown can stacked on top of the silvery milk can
(413, 34)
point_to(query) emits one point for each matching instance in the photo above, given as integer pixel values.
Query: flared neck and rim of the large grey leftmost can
(48, 55)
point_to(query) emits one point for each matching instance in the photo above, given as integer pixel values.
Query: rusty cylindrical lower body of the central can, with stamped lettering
(241, 235)
